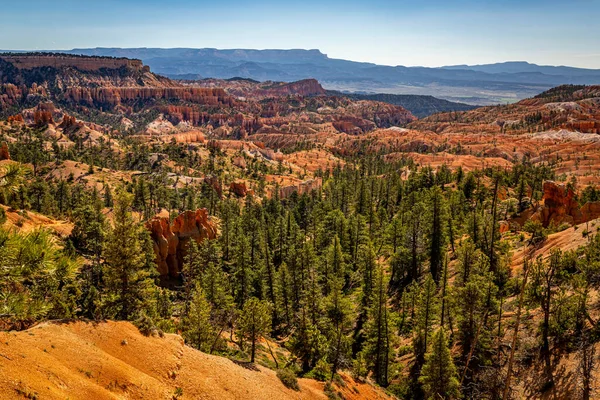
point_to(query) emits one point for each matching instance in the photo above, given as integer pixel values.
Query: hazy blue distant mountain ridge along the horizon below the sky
(479, 85)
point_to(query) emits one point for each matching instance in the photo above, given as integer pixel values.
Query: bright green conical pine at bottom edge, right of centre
(438, 375)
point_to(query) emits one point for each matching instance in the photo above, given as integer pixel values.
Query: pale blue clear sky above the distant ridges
(389, 32)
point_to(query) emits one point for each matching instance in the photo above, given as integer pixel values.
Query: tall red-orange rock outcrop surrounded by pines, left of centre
(171, 238)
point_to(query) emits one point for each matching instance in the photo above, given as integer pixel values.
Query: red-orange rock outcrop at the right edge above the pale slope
(560, 206)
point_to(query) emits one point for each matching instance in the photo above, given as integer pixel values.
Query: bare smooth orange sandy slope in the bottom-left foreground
(112, 360)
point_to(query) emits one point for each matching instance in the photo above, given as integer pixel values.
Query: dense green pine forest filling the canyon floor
(404, 281)
